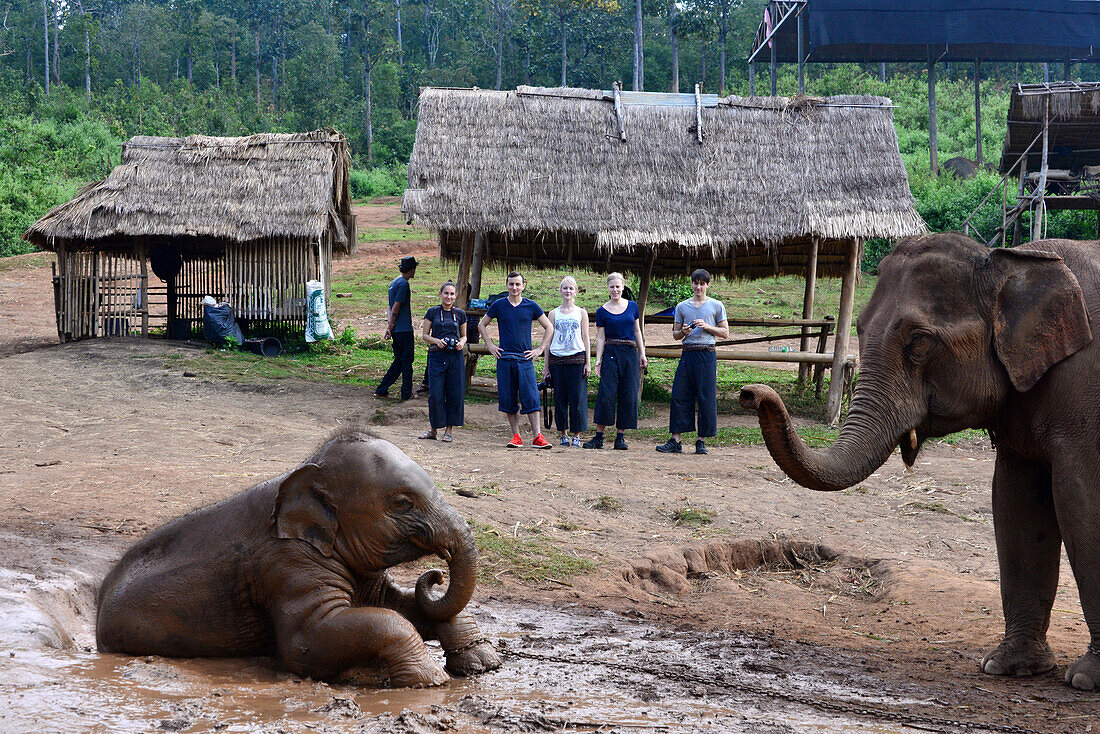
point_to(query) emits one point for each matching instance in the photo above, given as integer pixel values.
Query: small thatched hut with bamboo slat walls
(248, 221)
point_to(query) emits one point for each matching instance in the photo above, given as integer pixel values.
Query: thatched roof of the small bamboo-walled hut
(238, 190)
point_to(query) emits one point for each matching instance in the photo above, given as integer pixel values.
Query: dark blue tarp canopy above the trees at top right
(934, 30)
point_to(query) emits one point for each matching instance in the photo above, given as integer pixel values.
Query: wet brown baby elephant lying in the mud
(295, 568)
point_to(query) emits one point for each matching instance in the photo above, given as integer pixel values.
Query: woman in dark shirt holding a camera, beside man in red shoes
(445, 331)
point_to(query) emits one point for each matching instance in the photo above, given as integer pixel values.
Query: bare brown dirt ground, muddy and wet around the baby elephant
(793, 611)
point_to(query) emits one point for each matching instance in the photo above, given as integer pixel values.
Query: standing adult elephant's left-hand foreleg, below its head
(1029, 547)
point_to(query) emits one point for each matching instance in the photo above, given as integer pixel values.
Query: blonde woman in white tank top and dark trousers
(569, 364)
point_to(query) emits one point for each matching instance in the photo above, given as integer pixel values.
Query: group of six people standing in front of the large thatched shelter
(566, 344)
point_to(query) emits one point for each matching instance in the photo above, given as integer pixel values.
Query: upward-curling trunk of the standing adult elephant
(864, 445)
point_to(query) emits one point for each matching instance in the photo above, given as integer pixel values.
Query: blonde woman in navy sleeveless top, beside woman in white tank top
(620, 352)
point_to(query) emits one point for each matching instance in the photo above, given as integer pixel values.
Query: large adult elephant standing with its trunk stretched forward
(959, 336)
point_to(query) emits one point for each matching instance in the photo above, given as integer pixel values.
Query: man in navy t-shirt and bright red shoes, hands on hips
(518, 389)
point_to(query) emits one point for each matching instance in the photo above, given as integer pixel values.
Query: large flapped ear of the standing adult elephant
(1039, 317)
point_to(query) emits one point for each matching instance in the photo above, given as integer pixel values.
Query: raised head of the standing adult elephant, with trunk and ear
(951, 331)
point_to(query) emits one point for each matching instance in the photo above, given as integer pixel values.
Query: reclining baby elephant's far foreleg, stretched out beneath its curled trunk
(468, 651)
